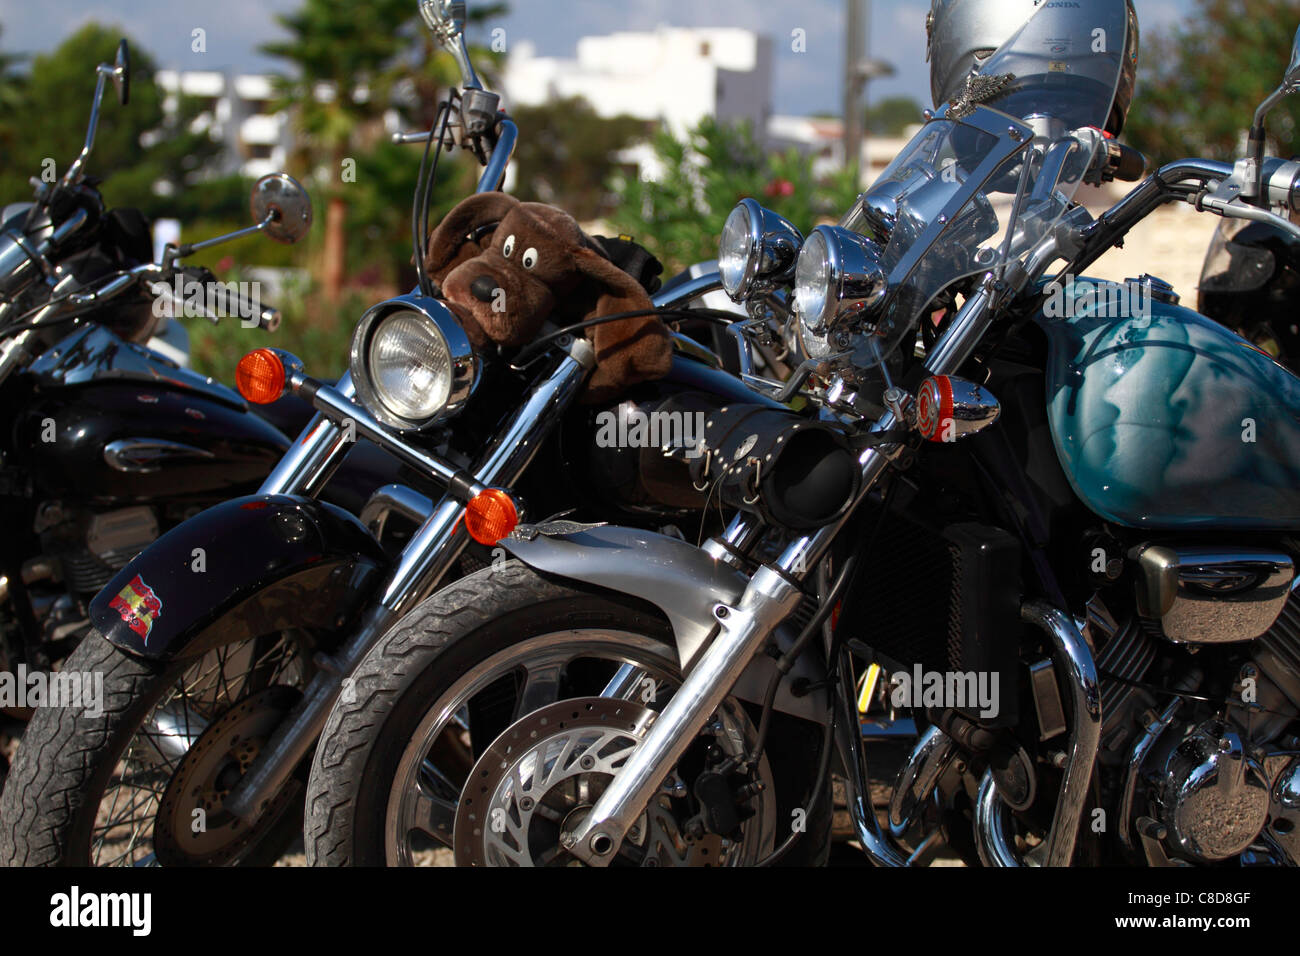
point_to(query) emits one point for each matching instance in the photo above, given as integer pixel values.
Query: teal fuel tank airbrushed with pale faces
(1164, 419)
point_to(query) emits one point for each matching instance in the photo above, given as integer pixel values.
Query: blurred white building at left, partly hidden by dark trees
(237, 111)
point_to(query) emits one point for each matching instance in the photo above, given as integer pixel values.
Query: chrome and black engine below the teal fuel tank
(1214, 775)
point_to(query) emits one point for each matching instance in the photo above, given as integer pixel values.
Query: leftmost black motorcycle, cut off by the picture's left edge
(109, 442)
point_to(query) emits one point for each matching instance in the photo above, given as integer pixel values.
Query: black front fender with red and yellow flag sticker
(241, 570)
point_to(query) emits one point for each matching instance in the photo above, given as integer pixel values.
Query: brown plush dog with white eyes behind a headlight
(506, 267)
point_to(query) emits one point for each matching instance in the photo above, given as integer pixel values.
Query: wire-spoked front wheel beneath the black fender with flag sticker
(138, 777)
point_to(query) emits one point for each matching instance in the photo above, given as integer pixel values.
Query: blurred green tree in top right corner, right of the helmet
(1199, 84)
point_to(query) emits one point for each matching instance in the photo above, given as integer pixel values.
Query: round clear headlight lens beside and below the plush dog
(410, 366)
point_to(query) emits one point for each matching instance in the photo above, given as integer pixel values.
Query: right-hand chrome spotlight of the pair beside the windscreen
(838, 278)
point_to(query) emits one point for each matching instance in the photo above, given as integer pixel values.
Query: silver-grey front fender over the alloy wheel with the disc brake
(683, 582)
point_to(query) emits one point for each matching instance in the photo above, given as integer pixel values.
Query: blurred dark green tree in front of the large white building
(569, 154)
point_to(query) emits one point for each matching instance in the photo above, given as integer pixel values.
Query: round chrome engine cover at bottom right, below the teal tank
(1215, 798)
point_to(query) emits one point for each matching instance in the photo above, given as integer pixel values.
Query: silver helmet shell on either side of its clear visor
(964, 34)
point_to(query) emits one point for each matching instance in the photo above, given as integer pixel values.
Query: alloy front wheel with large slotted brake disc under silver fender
(487, 724)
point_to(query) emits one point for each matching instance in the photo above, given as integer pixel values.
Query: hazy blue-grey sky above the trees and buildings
(807, 83)
